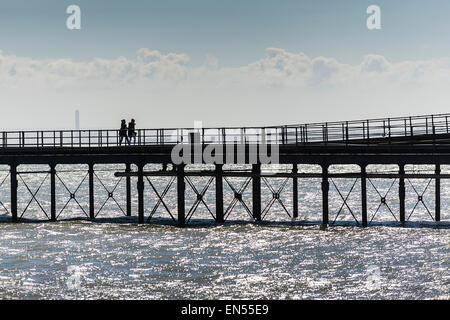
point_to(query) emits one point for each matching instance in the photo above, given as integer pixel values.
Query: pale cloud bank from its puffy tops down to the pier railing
(165, 90)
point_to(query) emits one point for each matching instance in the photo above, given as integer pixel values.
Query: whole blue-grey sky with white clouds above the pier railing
(226, 63)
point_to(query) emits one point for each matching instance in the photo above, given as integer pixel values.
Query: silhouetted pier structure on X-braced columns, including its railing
(402, 142)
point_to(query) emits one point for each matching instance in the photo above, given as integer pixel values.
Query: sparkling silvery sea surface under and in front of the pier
(115, 258)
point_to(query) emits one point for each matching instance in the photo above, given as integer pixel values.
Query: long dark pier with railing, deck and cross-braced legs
(401, 141)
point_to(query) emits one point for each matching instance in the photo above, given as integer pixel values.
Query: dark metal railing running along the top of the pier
(367, 131)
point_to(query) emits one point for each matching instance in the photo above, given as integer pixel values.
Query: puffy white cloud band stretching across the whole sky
(278, 69)
